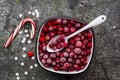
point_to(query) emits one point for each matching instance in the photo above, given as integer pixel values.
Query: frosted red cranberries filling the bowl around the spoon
(74, 56)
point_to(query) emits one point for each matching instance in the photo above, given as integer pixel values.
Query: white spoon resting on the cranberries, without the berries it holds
(100, 19)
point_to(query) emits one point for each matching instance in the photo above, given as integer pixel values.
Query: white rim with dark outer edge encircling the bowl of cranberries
(37, 44)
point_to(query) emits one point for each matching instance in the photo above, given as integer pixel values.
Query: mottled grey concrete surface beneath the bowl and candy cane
(105, 64)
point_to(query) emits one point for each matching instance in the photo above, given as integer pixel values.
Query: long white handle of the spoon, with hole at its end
(100, 19)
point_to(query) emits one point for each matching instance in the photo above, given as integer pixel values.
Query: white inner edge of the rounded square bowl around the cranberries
(64, 72)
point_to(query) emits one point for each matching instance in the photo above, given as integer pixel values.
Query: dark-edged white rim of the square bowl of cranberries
(64, 72)
